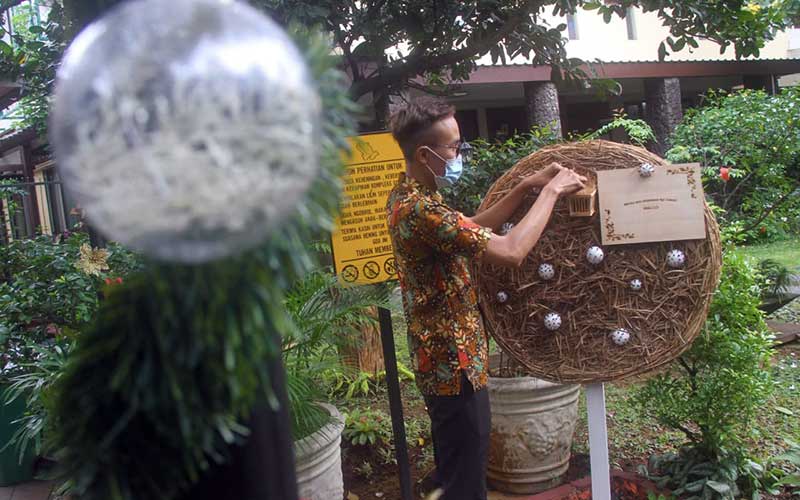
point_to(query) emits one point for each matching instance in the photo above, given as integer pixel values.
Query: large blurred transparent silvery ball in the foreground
(186, 129)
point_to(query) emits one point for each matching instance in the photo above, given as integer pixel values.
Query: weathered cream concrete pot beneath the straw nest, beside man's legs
(533, 422)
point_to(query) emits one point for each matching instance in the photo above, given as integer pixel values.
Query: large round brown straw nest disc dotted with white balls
(663, 318)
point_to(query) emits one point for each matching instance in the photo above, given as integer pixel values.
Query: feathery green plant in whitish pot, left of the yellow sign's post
(325, 315)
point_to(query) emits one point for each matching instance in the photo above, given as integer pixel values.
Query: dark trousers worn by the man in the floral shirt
(460, 431)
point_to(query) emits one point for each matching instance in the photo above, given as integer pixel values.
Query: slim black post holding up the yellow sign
(395, 404)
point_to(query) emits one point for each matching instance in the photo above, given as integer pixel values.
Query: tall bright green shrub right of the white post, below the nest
(712, 392)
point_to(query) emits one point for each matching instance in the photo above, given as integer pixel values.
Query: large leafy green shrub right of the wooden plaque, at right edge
(756, 137)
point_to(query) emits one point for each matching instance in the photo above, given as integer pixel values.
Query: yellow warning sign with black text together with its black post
(363, 255)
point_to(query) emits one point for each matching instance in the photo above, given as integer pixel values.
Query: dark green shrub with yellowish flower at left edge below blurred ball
(49, 289)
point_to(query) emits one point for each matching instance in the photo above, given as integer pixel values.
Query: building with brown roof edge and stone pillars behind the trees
(500, 99)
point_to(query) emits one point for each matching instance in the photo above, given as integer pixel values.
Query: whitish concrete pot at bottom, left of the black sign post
(318, 461)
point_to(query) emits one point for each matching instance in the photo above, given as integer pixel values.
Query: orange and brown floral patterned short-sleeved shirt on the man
(434, 247)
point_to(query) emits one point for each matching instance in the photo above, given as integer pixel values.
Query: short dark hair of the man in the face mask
(411, 123)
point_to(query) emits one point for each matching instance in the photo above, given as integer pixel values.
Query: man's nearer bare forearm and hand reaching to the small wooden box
(510, 250)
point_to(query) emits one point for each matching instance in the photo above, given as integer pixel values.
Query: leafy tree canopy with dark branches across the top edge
(387, 46)
